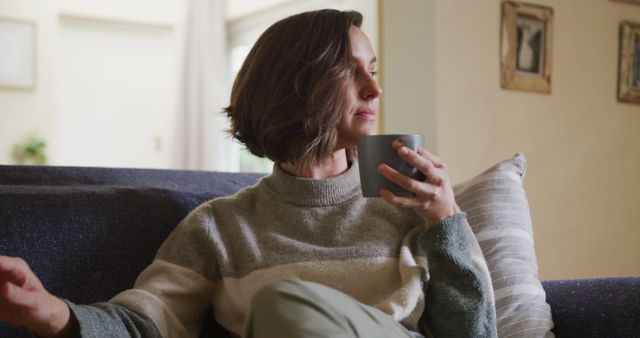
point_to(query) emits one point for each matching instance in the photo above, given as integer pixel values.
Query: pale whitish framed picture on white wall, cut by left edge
(17, 54)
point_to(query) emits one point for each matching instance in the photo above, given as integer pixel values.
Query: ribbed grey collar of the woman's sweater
(314, 192)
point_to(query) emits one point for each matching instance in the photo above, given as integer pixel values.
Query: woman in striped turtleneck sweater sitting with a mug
(301, 253)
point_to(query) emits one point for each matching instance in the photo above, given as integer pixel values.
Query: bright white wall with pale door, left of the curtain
(87, 53)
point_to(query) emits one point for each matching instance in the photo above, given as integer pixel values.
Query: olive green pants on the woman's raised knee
(297, 309)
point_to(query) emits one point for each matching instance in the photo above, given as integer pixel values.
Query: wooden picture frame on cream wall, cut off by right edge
(629, 63)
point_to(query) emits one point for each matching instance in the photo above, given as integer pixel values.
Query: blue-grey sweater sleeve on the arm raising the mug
(459, 300)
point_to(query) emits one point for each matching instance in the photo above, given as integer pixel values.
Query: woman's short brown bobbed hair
(289, 93)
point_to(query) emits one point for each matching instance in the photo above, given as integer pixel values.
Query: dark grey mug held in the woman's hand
(374, 150)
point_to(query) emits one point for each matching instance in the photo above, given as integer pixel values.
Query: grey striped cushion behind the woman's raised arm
(498, 212)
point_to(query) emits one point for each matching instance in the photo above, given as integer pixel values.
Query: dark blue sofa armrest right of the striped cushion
(600, 307)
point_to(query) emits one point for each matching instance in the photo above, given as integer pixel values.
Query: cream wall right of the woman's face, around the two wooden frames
(582, 145)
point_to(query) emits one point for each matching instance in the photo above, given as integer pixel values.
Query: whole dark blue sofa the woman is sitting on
(88, 232)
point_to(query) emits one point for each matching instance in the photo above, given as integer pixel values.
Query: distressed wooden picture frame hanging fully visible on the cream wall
(526, 47)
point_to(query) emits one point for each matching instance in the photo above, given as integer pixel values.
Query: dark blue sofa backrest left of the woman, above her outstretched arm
(88, 232)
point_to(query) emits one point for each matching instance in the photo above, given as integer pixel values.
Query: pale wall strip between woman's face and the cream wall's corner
(407, 65)
